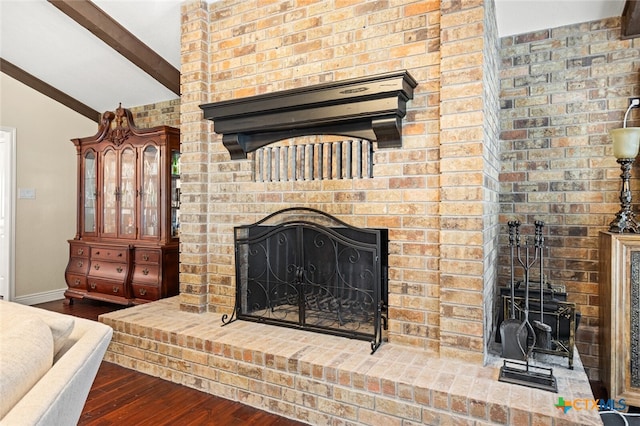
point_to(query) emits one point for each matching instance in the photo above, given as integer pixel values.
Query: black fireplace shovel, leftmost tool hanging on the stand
(513, 340)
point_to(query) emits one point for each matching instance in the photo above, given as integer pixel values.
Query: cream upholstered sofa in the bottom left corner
(48, 362)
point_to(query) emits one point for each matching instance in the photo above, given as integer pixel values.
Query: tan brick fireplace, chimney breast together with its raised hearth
(436, 194)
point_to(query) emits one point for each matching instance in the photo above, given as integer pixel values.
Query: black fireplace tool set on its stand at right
(520, 337)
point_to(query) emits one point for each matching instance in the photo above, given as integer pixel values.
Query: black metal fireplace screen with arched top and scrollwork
(305, 269)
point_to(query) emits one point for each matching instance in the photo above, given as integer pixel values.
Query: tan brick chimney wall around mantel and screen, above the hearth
(437, 195)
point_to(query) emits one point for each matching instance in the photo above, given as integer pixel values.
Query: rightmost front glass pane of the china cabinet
(150, 191)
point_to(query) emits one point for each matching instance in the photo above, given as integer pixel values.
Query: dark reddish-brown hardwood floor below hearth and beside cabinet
(120, 396)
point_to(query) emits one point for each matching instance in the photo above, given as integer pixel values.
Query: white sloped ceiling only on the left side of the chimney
(43, 41)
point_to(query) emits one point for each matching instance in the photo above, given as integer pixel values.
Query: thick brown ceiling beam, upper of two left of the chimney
(119, 38)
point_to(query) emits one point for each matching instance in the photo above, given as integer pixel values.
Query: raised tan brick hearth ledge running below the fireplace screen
(321, 379)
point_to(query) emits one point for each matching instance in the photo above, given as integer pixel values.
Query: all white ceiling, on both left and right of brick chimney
(38, 38)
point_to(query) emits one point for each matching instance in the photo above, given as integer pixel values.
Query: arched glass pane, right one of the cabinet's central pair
(127, 193)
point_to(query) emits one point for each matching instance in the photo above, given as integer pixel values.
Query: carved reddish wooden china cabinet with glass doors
(126, 245)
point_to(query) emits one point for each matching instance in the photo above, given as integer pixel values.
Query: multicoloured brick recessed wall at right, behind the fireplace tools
(562, 90)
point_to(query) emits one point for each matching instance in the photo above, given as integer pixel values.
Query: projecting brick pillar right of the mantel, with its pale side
(468, 165)
